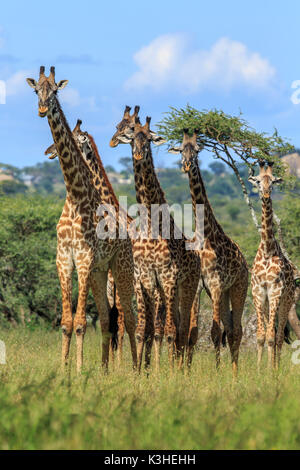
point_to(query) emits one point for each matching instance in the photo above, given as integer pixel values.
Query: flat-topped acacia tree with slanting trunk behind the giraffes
(233, 141)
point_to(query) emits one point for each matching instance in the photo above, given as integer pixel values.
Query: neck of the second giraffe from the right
(211, 226)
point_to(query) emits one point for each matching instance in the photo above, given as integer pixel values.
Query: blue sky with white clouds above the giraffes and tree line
(227, 55)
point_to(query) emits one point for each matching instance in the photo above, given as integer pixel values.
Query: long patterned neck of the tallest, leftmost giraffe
(75, 172)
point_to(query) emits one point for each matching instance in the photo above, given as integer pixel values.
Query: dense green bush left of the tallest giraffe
(28, 280)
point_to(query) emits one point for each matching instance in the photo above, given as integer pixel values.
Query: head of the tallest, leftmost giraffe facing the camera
(46, 89)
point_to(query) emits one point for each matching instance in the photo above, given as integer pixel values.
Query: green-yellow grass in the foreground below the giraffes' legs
(42, 408)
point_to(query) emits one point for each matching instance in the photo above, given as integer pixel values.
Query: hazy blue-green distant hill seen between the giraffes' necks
(46, 179)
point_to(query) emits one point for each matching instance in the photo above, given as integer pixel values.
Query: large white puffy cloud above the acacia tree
(170, 61)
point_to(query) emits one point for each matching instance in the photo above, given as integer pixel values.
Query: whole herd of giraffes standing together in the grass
(165, 276)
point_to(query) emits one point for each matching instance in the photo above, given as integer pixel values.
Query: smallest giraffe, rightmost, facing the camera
(272, 281)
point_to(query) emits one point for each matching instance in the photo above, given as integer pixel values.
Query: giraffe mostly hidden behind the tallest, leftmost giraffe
(92, 158)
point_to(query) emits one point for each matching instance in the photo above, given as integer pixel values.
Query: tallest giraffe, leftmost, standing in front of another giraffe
(78, 243)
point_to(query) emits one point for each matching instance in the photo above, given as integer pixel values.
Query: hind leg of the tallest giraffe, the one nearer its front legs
(99, 288)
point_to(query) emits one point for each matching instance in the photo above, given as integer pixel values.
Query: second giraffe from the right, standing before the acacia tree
(223, 266)
